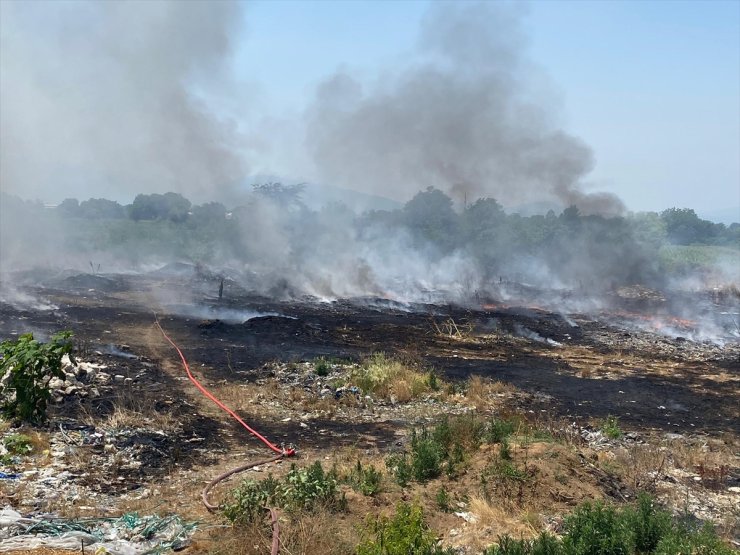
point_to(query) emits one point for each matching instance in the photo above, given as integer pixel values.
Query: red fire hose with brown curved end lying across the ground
(280, 451)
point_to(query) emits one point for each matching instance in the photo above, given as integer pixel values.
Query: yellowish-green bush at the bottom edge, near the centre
(405, 533)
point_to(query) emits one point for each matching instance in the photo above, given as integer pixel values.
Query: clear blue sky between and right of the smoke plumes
(652, 87)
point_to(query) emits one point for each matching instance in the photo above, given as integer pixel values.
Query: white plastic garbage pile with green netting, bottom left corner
(129, 534)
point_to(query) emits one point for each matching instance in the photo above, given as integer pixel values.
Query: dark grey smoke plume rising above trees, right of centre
(461, 121)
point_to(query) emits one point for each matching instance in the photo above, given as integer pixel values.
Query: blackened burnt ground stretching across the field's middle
(673, 385)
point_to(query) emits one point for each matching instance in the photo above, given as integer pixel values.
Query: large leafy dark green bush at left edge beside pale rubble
(26, 366)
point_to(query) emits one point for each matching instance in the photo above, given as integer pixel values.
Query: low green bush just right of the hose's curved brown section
(299, 489)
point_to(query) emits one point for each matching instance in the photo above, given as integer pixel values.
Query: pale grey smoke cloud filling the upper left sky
(97, 98)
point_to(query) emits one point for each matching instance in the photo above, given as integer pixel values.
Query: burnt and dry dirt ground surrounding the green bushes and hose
(674, 398)
